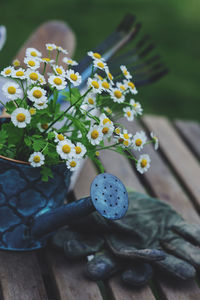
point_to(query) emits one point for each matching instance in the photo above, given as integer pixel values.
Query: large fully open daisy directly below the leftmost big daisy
(20, 117)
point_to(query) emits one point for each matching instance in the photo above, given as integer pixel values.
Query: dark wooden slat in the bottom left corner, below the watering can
(20, 277)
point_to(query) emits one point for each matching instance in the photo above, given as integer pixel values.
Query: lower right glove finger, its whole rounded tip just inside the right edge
(176, 267)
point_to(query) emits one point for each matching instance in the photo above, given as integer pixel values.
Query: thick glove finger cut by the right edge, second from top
(181, 248)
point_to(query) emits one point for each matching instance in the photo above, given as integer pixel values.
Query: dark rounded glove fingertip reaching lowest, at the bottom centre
(137, 274)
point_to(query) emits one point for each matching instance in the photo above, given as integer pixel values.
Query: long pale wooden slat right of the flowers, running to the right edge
(179, 156)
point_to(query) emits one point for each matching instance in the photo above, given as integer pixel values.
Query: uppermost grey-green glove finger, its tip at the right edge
(189, 231)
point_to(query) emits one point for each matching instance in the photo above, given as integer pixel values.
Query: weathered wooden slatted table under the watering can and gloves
(174, 177)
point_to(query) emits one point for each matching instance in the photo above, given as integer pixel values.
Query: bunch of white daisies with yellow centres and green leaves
(44, 132)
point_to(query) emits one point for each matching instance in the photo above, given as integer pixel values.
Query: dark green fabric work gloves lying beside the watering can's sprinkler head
(151, 234)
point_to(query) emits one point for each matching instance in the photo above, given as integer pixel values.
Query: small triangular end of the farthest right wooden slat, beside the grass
(190, 131)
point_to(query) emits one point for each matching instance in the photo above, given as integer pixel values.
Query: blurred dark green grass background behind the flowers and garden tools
(174, 26)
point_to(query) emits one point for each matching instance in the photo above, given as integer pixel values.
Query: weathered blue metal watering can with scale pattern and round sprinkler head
(31, 210)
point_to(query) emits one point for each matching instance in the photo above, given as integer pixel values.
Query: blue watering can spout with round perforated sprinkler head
(108, 196)
